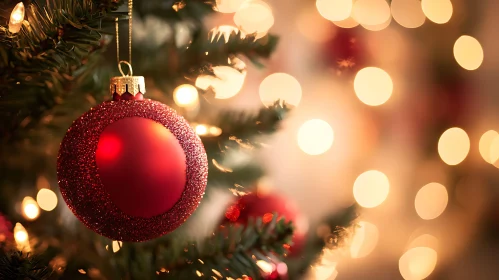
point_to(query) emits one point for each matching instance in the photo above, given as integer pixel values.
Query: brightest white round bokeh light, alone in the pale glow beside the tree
(315, 137)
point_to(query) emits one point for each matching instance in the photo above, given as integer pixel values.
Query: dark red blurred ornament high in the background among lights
(345, 51)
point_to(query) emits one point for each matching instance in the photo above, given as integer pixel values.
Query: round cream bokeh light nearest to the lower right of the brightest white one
(371, 188)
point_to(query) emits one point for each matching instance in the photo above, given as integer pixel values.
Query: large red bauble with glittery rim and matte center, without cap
(132, 170)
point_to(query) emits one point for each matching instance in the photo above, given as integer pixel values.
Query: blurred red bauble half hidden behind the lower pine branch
(255, 205)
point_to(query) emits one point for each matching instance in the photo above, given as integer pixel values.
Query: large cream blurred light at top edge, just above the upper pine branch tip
(254, 16)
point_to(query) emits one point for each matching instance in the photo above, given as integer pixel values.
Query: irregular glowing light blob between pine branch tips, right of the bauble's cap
(227, 83)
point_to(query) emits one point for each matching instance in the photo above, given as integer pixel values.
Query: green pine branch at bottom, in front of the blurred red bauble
(230, 252)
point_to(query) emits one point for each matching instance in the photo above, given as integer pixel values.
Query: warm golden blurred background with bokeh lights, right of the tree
(396, 109)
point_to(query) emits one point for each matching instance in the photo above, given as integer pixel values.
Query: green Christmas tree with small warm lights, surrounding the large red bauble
(57, 59)
